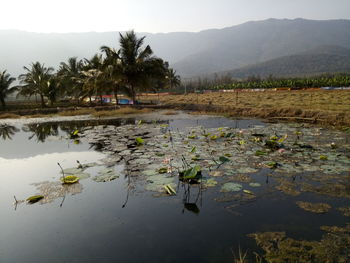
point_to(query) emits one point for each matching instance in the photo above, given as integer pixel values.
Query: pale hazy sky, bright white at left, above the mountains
(157, 15)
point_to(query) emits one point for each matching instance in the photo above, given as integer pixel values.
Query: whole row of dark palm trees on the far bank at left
(130, 69)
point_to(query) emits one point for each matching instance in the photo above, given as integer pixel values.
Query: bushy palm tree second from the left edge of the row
(36, 81)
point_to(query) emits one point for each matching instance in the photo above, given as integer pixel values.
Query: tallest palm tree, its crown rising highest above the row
(137, 63)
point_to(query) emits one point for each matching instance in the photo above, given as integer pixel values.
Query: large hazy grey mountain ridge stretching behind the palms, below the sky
(191, 54)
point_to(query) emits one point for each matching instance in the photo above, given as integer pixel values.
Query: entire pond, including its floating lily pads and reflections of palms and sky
(262, 188)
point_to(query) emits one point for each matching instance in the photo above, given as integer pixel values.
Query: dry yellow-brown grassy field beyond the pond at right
(326, 107)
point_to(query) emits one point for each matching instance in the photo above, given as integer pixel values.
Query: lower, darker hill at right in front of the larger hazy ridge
(320, 60)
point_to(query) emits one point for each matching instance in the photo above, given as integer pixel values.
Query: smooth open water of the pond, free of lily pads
(92, 225)
